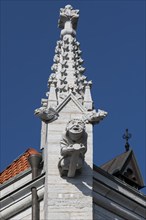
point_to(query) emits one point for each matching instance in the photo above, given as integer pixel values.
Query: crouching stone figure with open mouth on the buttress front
(73, 148)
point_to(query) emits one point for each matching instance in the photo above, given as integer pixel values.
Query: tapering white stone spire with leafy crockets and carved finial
(67, 70)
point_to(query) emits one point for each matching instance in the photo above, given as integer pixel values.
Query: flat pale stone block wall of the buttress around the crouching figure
(67, 195)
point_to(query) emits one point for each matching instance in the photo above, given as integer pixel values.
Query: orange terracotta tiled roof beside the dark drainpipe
(17, 166)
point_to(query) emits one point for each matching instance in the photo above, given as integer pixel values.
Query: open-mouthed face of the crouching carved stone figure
(75, 128)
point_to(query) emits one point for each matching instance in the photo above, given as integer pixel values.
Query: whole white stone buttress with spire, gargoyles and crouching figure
(67, 129)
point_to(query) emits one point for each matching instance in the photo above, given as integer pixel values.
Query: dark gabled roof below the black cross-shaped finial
(126, 168)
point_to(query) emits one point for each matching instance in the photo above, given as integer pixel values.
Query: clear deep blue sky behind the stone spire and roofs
(112, 37)
